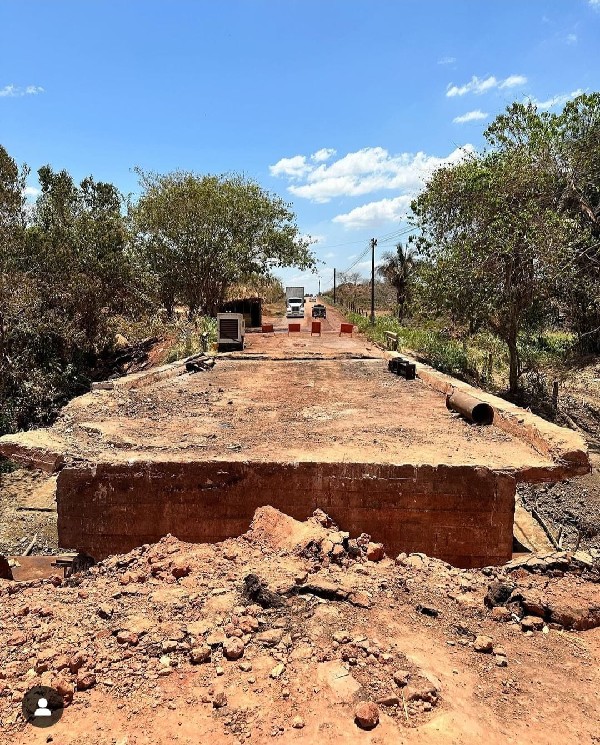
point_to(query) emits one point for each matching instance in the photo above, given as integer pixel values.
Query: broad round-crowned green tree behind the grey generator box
(201, 234)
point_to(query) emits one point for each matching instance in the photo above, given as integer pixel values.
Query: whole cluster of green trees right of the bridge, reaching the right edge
(510, 235)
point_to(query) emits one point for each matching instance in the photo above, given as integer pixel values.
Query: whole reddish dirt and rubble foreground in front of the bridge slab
(174, 642)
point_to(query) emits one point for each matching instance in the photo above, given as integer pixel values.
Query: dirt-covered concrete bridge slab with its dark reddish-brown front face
(297, 422)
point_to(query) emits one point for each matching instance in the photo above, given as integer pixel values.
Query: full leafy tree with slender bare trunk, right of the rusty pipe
(486, 231)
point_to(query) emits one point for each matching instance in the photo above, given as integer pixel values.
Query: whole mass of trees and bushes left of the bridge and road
(75, 269)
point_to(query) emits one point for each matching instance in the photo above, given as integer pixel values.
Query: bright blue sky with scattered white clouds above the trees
(343, 107)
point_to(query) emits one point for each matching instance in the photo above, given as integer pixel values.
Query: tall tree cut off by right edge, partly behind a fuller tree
(565, 149)
